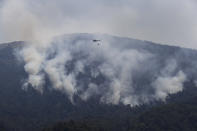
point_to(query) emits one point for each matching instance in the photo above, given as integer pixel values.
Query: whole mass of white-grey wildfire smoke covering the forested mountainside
(77, 66)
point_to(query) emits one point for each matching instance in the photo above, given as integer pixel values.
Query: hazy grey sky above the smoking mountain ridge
(171, 22)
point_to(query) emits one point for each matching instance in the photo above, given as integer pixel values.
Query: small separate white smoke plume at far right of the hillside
(166, 83)
